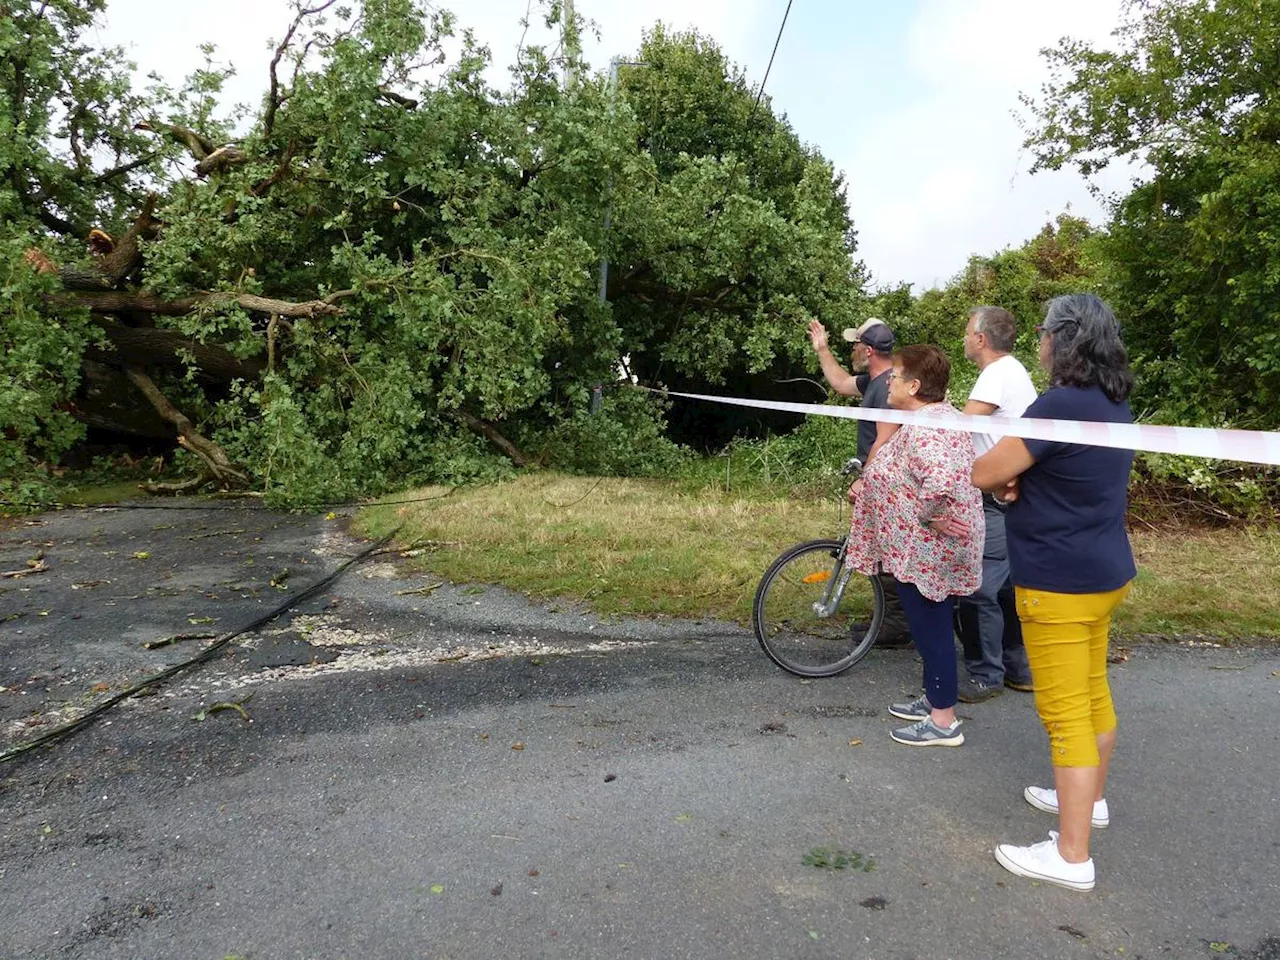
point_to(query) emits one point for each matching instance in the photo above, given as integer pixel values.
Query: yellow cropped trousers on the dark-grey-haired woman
(1067, 647)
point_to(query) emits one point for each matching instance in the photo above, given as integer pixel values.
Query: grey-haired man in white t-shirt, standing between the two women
(990, 634)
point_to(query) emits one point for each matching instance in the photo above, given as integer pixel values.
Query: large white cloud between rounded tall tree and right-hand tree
(945, 175)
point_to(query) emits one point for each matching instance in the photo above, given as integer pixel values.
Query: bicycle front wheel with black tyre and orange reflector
(790, 612)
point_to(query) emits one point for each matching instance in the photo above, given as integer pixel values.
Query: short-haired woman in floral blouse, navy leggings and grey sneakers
(918, 516)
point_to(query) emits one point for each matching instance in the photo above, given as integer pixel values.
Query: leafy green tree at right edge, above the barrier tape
(1192, 94)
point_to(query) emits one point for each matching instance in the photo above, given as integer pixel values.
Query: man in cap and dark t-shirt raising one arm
(874, 346)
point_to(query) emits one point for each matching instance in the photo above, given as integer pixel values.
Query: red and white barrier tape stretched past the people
(1246, 446)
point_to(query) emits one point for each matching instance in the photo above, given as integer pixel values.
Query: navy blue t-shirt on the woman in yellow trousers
(1067, 528)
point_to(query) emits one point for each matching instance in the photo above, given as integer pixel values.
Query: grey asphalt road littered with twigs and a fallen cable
(460, 774)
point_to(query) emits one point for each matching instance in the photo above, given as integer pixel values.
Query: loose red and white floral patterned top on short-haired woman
(921, 474)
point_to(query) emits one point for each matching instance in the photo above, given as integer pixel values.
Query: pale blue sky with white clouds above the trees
(915, 100)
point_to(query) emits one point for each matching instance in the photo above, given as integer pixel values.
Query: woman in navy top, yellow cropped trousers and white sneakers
(1072, 566)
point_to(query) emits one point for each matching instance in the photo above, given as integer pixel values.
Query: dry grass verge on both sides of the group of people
(660, 548)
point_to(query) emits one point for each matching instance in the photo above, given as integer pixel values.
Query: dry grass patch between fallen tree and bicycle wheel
(625, 547)
